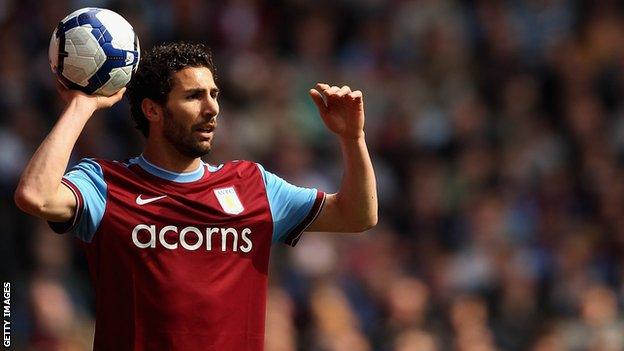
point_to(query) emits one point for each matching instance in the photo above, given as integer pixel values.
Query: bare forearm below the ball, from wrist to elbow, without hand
(41, 178)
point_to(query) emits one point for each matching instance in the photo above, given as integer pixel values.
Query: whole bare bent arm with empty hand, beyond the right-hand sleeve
(354, 207)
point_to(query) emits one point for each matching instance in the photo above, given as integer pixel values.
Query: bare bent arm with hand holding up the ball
(40, 191)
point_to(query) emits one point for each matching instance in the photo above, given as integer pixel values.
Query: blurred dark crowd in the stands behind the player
(497, 133)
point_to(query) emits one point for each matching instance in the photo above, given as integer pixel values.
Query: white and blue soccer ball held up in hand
(94, 50)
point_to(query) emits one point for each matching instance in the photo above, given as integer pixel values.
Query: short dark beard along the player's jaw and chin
(183, 139)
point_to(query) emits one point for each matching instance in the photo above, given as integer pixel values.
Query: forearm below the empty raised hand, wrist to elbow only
(357, 197)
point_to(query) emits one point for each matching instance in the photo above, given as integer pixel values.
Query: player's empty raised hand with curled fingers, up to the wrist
(341, 109)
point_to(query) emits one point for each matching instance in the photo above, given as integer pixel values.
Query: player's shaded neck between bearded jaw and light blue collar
(164, 155)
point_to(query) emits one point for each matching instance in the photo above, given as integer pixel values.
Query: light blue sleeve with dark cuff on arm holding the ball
(86, 181)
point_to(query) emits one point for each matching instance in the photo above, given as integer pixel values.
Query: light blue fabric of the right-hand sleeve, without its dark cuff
(290, 205)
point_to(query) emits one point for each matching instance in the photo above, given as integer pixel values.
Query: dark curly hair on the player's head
(154, 77)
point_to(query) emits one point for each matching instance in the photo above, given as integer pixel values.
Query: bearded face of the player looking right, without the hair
(191, 111)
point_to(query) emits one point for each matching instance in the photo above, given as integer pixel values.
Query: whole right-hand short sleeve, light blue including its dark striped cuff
(293, 208)
